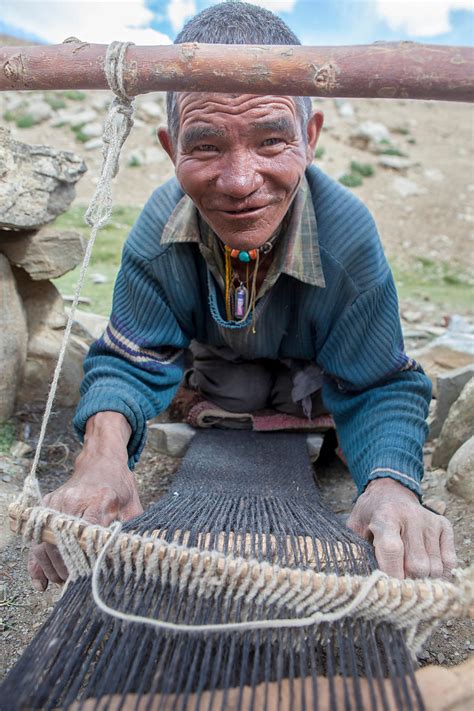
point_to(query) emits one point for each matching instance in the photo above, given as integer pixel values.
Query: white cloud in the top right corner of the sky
(422, 18)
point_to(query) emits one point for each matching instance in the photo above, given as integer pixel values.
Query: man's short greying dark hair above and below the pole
(235, 22)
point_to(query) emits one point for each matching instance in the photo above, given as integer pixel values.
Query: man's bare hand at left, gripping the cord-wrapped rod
(102, 489)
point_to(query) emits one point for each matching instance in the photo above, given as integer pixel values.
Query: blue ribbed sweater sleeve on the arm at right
(378, 396)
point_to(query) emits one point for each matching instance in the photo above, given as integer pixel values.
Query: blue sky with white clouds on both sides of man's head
(316, 22)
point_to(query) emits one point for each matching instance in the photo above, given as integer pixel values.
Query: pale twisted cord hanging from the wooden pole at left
(117, 126)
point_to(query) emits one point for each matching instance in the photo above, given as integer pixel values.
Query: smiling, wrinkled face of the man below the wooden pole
(240, 159)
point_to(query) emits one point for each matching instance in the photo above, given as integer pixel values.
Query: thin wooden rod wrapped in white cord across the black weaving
(407, 588)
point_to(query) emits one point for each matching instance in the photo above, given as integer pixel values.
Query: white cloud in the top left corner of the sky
(96, 21)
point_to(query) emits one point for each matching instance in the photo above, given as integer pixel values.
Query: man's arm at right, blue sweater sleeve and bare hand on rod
(379, 399)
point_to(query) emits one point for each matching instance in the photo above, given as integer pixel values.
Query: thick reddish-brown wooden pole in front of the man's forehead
(390, 70)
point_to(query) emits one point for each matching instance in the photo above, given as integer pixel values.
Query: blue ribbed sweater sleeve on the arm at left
(136, 366)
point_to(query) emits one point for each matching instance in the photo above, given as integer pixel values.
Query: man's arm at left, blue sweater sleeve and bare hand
(131, 374)
